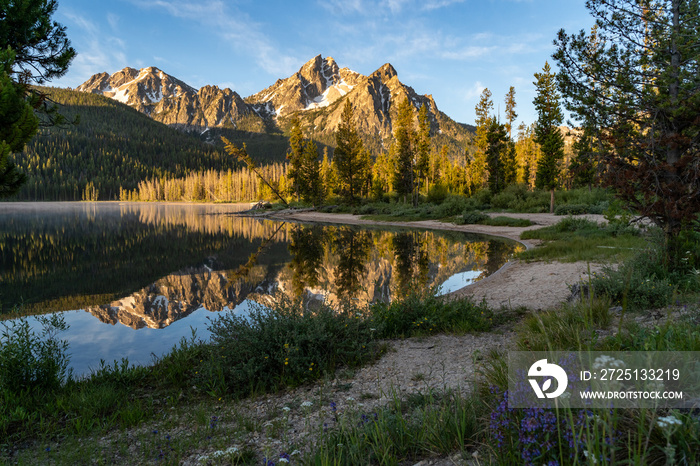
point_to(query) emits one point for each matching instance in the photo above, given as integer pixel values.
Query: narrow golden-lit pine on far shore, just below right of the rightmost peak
(404, 142)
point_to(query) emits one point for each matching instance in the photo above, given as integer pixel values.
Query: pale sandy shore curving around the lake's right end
(534, 285)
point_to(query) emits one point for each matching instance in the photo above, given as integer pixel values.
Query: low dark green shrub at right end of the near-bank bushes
(424, 315)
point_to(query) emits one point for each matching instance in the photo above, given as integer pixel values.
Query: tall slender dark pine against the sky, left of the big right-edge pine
(547, 133)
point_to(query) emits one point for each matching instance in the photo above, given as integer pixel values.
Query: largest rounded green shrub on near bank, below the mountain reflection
(287, 345)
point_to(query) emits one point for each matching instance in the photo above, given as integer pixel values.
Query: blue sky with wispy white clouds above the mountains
(451, 49)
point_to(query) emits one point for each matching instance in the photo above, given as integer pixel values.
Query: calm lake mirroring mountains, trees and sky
(132, 279)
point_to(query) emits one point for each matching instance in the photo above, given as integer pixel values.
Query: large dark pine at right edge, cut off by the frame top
(635, 82)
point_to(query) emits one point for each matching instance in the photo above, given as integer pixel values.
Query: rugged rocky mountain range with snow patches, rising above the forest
(316, 93)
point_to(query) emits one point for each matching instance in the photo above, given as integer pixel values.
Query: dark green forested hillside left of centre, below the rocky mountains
(115, 146)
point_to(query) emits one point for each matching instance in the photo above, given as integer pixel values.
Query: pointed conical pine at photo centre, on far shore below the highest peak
(348, 156)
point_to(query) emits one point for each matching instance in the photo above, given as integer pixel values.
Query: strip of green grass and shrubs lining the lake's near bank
(271, 350)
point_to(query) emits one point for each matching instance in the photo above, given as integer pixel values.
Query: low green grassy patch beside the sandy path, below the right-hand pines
(577, 239)
